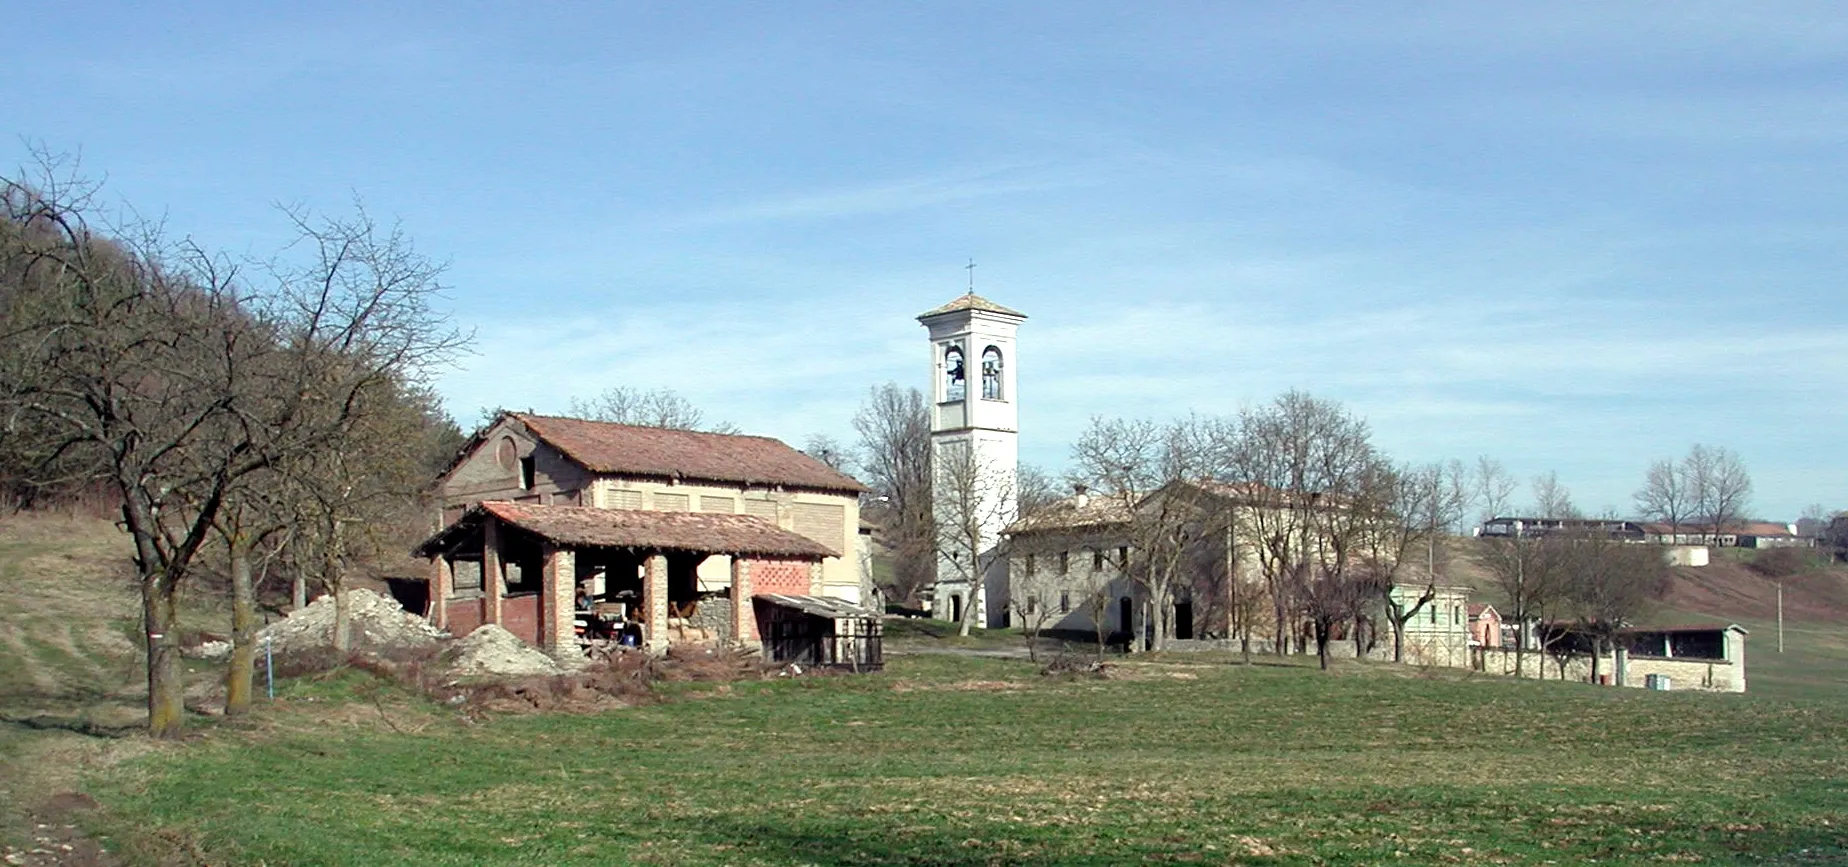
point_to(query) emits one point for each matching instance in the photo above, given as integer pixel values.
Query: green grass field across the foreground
(954, 761)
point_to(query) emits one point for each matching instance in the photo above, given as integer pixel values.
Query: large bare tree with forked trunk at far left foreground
(176, 378)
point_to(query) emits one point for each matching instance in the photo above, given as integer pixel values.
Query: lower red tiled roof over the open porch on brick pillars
(637, 530)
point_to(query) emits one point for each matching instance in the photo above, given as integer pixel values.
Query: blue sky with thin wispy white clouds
(1575, 238)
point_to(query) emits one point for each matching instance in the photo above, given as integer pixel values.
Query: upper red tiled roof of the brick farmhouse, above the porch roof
(659, 452)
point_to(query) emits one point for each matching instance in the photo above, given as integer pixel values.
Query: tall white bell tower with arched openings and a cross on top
(975, 452)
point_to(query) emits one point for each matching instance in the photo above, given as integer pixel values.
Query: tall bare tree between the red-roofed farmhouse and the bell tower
(894, 454)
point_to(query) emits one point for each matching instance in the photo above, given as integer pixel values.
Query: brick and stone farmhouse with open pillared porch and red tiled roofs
(675, 530)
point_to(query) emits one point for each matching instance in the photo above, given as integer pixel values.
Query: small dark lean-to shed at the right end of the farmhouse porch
(820, 631)
